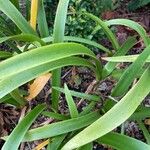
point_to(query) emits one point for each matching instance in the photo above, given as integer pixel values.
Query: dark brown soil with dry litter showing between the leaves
(78, 79)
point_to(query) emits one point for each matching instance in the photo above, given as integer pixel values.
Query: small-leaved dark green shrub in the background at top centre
(76, 23)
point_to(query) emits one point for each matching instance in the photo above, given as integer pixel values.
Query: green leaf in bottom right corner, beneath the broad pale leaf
(122, 142)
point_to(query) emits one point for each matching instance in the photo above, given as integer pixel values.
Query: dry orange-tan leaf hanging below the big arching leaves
(38, 84)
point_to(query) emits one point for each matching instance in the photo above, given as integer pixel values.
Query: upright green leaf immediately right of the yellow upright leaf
(42, 22)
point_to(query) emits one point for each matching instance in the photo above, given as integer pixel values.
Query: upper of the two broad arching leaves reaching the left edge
(40, 56)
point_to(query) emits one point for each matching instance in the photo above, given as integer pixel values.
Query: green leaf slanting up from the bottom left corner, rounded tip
(20, 130)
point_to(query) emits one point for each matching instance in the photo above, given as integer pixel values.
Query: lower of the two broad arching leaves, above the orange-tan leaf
(11, 82)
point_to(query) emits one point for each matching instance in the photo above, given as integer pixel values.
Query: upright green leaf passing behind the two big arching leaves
(58, 36)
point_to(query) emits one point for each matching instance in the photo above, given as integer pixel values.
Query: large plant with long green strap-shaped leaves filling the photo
(41, 54)
